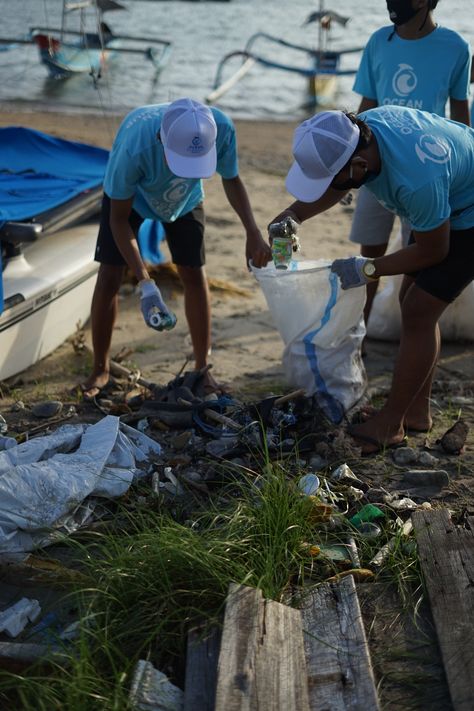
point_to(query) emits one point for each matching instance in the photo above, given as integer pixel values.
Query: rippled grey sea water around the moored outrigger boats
(201, 33)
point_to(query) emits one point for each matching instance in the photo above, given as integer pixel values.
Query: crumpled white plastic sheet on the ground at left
(45, 479)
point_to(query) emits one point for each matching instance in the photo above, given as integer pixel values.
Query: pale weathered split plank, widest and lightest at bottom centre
(261, 662)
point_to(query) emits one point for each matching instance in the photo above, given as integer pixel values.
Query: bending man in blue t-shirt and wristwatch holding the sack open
(421, 167)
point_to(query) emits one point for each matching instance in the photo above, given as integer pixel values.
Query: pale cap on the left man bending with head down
(188, 133)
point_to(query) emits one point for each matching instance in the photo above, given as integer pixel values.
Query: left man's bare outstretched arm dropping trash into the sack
(256, 248)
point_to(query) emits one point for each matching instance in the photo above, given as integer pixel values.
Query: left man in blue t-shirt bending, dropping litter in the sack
(159, 157)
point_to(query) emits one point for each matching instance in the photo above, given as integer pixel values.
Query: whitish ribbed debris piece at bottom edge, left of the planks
(151, 690)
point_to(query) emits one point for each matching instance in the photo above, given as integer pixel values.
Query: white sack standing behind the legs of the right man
(456, 323)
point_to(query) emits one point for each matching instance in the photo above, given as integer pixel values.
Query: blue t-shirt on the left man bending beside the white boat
(137, 166)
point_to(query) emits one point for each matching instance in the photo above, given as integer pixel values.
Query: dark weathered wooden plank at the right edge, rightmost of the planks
(447, 560)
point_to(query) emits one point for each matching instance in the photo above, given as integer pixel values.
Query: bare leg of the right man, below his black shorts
(417, 356)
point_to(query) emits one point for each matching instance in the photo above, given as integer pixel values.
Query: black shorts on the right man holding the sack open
(448, 278)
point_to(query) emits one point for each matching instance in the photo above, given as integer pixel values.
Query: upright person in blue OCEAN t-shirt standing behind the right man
(414, 63)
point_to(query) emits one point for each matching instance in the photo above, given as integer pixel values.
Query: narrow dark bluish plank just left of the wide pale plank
(201, 669)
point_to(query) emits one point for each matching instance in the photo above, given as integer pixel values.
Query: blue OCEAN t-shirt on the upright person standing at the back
(420, 74)
